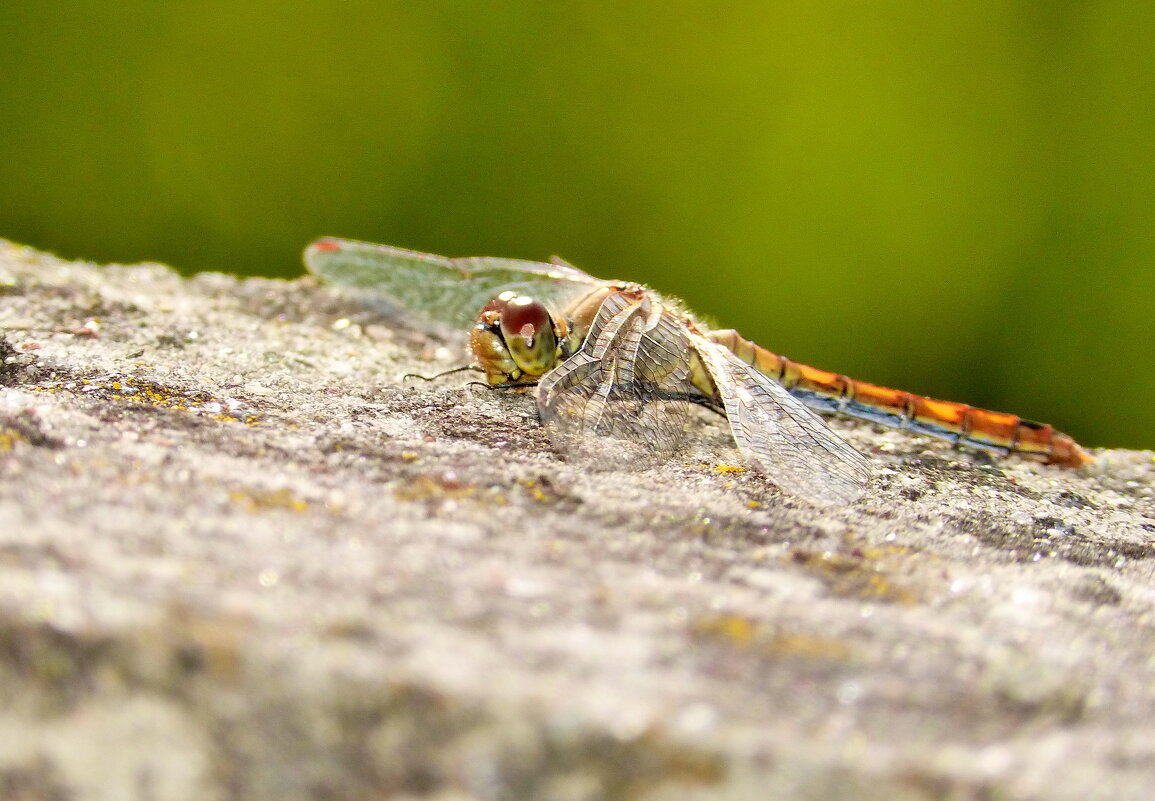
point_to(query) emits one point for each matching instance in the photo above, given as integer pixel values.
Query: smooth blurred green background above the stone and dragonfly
(953, 199)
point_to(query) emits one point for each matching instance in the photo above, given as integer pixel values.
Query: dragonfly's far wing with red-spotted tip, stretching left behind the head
(441, 294)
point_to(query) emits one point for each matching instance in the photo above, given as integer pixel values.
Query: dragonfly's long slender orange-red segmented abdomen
(958, 423)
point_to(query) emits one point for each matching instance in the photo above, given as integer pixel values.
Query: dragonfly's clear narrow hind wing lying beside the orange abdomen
(786, 440)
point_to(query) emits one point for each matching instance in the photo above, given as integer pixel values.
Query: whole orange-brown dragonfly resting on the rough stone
(617, 370)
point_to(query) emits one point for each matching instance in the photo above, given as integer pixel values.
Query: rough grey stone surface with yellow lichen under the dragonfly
(242, 559)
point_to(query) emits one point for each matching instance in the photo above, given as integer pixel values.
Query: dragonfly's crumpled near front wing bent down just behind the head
(623, 398)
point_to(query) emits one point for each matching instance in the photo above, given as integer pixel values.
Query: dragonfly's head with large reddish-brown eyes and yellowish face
(517, 340)
